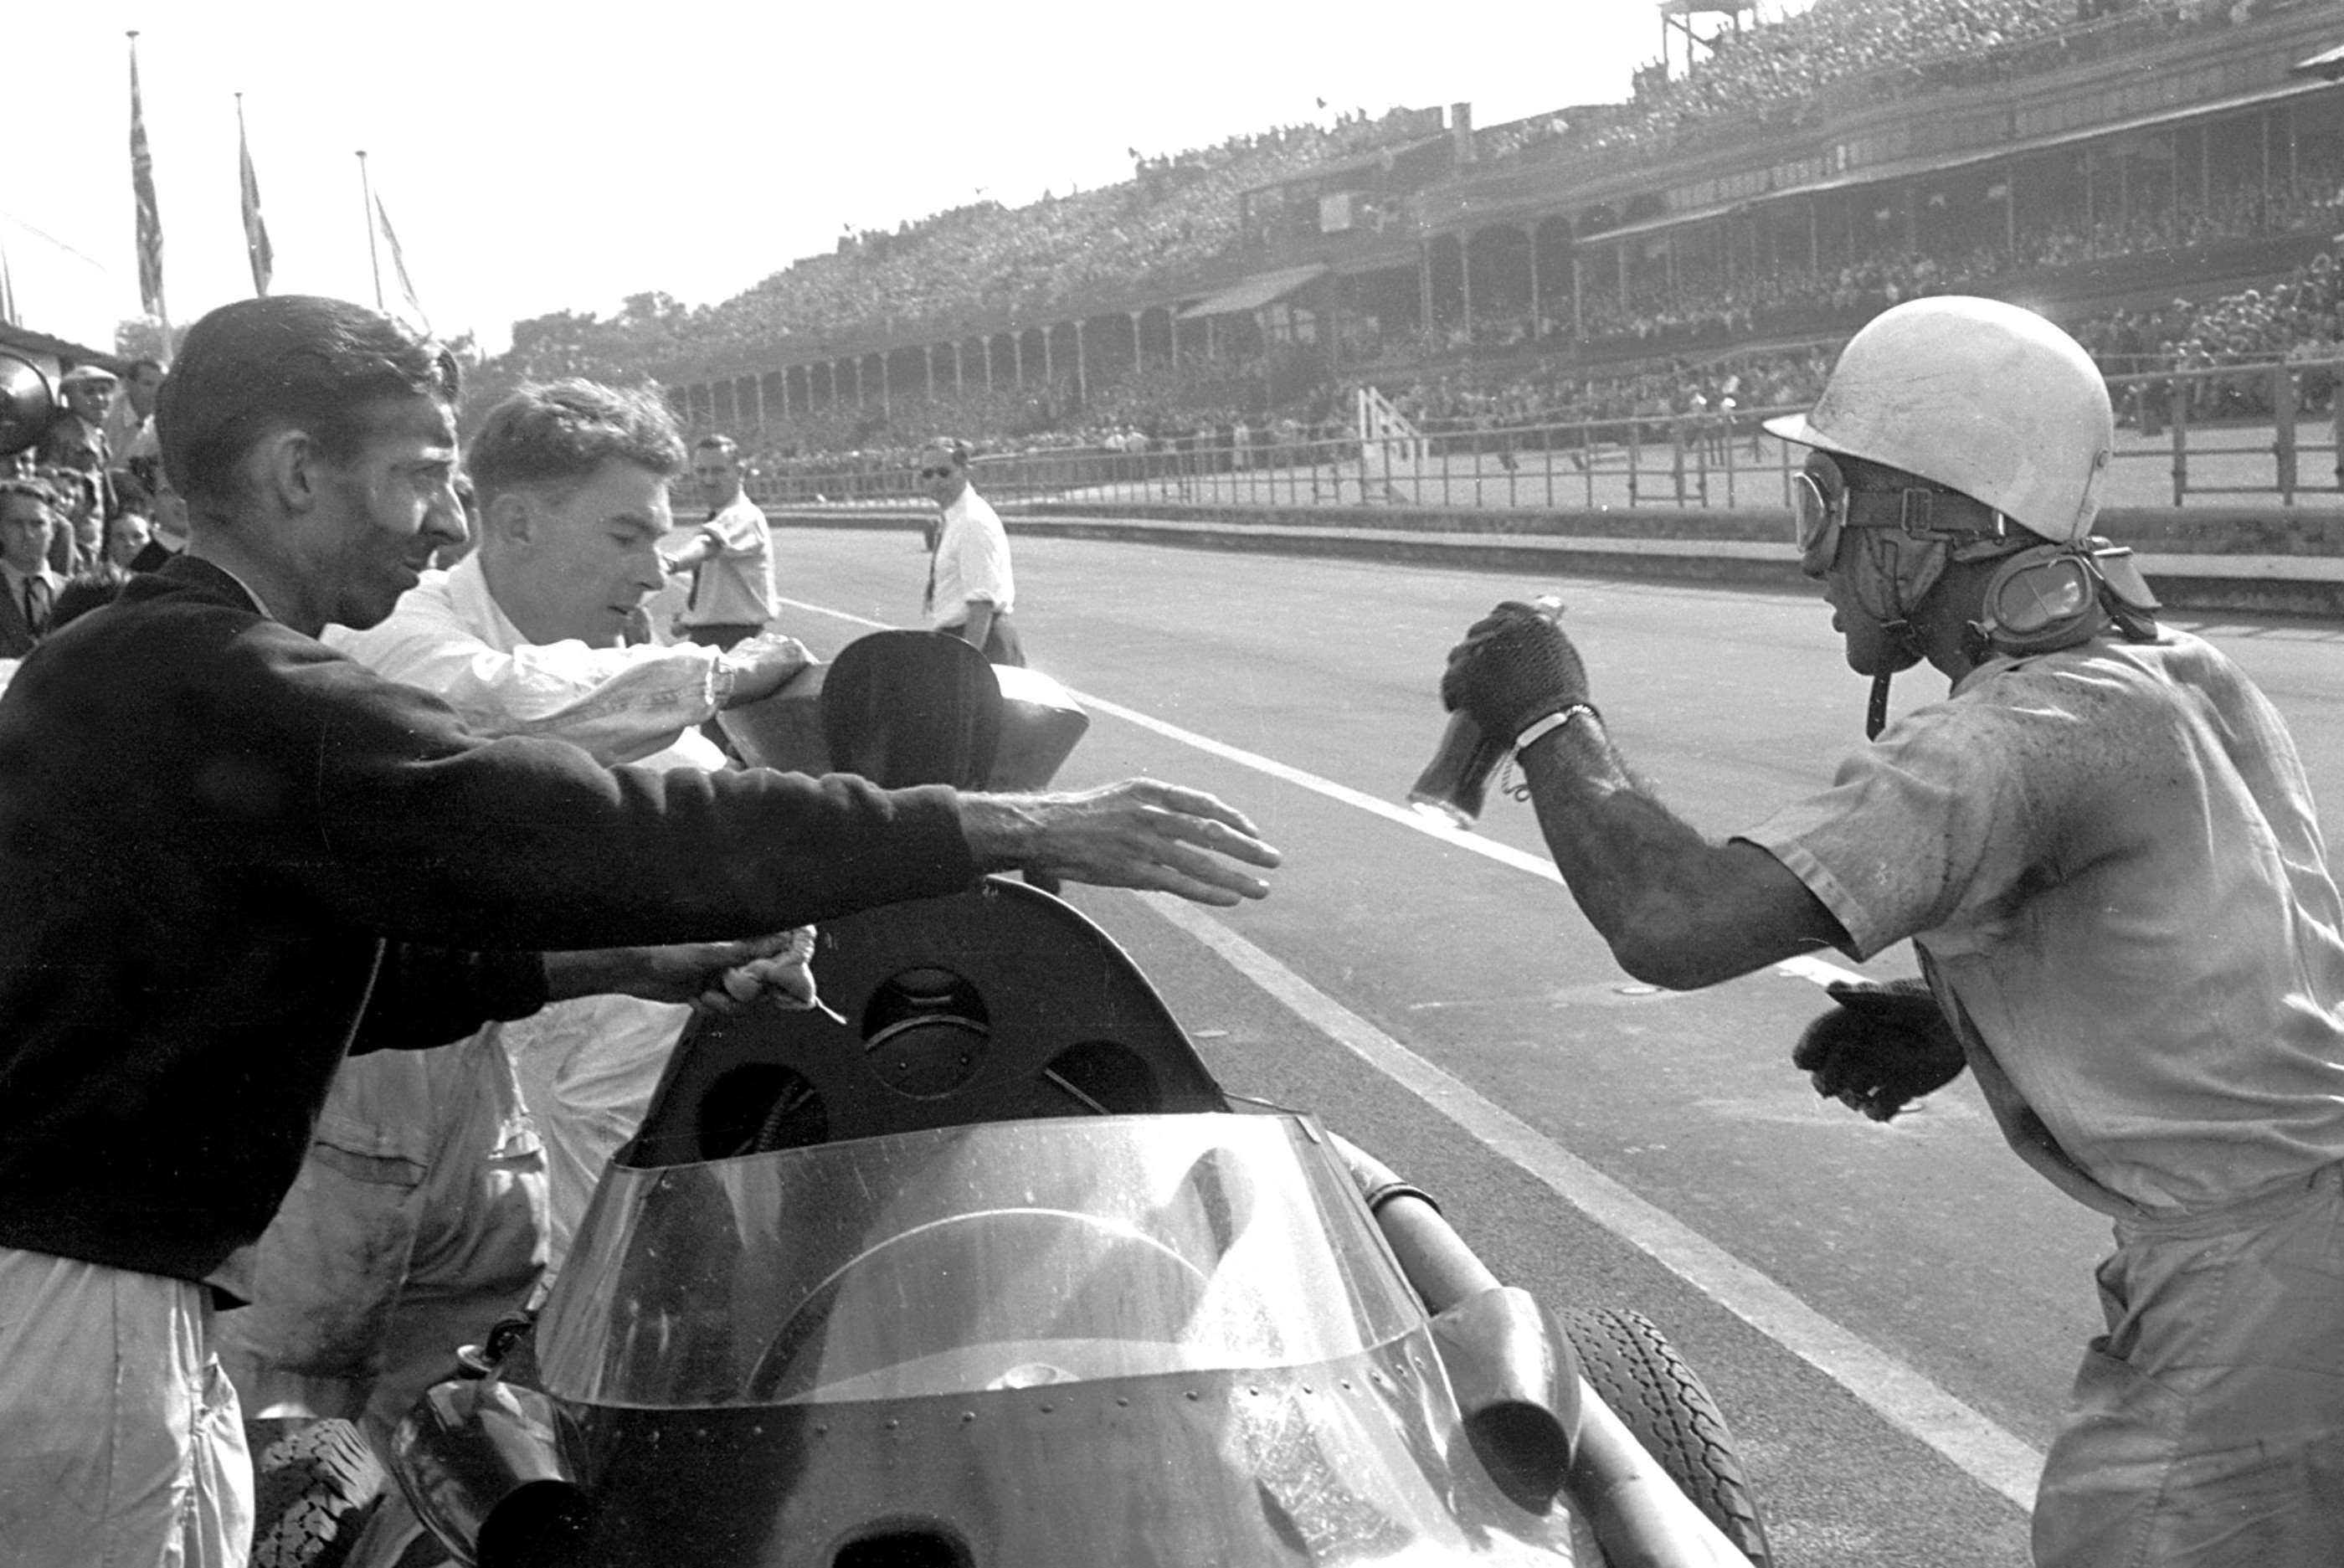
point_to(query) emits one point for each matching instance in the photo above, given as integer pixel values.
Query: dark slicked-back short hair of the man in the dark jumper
(287, 362)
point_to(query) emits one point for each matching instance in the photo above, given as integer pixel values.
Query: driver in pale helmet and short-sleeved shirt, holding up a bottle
(2104, 850)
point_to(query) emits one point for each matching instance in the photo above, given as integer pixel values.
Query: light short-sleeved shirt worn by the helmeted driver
(2111, 864)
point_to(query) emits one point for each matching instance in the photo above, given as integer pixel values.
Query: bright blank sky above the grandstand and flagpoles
(545, 158)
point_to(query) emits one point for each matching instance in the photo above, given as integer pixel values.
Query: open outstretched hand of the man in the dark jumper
(1126, 836)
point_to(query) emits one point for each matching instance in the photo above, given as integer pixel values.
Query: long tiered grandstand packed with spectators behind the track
(2158, 175)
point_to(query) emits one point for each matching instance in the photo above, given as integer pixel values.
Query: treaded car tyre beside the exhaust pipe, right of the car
(1668, 1407)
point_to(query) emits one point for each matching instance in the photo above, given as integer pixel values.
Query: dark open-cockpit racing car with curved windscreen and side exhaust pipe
(995, 1274)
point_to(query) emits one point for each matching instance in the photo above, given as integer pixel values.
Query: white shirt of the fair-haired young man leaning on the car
(587, 1068)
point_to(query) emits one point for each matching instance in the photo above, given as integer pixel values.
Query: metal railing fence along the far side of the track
(2186, 439)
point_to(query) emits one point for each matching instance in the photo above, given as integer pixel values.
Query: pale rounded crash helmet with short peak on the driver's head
(1980, 397)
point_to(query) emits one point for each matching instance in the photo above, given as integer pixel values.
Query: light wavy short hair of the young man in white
(557, 435)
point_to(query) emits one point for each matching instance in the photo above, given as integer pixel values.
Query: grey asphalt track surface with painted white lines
(1888, 1314)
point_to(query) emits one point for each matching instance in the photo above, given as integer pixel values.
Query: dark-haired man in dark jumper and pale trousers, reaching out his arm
(233, 857)
